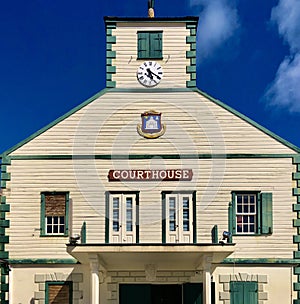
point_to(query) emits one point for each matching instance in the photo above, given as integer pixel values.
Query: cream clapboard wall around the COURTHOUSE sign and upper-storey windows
(213, 180)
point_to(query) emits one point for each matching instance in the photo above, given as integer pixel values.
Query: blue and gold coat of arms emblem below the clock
(151, 126)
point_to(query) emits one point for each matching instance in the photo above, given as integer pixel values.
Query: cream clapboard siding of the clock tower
(174, 54)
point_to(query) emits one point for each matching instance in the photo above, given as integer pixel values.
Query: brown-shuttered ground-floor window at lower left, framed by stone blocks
(58, 292)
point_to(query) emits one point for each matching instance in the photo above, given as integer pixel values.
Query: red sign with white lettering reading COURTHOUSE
(150, 175)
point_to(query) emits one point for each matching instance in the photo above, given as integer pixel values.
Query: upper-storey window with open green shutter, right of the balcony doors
(250, 213)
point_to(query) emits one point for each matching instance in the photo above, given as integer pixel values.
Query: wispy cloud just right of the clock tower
(217, 23)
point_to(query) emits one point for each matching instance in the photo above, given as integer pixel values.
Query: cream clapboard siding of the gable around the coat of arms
(194, 125)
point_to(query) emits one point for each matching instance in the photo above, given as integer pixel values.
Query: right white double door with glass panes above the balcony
(179, 218)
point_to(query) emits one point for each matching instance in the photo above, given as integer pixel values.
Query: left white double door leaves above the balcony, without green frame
(122, 218)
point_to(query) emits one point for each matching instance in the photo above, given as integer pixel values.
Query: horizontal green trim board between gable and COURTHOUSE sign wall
(149, 156)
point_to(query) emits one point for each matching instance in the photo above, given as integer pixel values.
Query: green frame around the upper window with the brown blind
(43, 232)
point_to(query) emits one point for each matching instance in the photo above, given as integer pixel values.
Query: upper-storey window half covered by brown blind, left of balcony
(54, 213)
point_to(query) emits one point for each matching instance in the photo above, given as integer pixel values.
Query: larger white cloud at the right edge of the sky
(284, 90)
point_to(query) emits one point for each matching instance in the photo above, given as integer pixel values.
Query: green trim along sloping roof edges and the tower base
(104, 91)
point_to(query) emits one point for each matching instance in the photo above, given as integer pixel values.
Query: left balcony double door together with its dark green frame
(122, 217)
